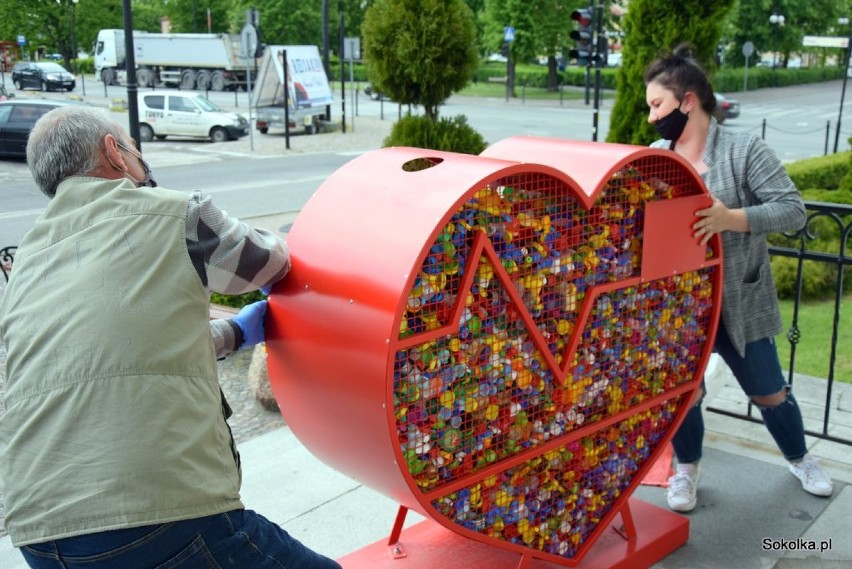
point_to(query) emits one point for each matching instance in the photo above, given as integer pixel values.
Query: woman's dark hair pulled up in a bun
(680, 72)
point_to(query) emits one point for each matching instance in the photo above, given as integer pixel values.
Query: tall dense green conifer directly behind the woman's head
(648, 33)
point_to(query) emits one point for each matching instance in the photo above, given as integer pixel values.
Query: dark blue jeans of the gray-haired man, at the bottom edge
(240, 538)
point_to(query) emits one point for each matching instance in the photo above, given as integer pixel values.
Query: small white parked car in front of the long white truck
(166, 114)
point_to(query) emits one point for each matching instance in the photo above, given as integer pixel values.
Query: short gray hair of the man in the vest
(67, 142)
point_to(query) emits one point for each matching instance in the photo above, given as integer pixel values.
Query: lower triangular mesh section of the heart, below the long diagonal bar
(553, 502)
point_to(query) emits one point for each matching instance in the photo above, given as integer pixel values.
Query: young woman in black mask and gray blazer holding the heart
(752, 196)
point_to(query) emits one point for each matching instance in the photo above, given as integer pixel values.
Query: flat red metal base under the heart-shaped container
(427, 544)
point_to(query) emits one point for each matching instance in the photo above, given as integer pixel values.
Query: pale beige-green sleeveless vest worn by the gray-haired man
(114, 416)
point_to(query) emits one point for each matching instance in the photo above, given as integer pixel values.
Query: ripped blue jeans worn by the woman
(758, 373)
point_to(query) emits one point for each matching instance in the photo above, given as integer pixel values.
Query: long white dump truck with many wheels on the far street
(188, 61)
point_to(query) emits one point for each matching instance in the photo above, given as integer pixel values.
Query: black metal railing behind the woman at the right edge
(822, 217)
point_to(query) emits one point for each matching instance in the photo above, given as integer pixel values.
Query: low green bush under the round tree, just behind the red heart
(447, 134)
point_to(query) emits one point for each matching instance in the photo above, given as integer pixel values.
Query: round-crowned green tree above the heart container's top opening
(419, 52)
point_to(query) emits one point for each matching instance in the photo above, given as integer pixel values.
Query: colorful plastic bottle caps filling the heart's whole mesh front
(527, 325)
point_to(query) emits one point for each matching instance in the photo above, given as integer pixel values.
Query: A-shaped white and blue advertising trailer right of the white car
(309, 91)
